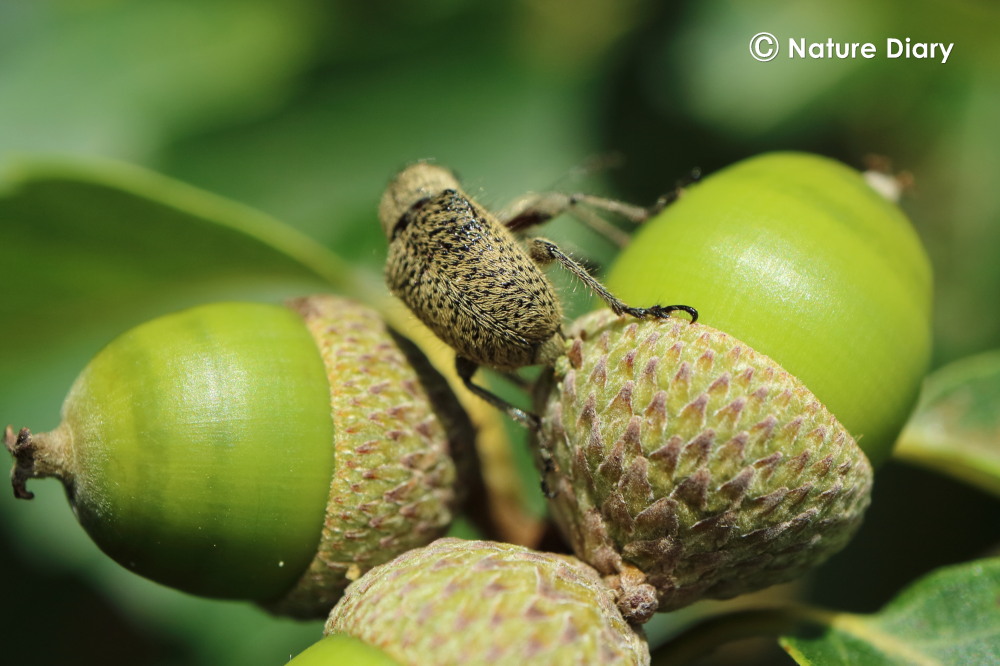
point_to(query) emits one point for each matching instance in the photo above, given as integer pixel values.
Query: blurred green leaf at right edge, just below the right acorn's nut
(956, 428)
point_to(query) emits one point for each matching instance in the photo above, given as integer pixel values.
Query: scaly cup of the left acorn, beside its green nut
(396, 425)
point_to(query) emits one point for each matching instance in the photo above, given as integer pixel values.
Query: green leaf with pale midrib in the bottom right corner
(948, 617)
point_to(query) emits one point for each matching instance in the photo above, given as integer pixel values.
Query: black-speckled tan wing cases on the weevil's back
(472, 284)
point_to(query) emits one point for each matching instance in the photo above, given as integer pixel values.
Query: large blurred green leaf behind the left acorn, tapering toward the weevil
(91, 249)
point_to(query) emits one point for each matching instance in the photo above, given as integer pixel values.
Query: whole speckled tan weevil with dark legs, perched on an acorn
(464, 273)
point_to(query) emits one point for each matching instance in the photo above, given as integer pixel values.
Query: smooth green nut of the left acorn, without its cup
(201, 444)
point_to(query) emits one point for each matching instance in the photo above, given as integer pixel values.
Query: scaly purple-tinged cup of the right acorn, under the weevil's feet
(681, 464)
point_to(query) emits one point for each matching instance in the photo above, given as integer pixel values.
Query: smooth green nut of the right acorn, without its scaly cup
(800, 258)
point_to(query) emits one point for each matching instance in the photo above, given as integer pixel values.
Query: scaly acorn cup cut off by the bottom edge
(483, 602)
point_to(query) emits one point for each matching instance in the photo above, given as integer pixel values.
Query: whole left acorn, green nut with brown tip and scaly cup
(252, 451)
